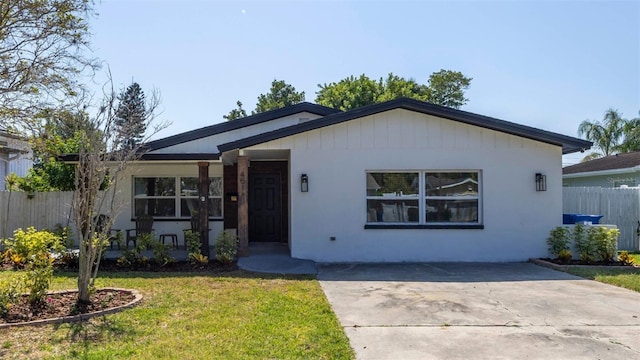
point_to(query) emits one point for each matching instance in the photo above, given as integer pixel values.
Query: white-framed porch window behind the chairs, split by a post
(157, 196)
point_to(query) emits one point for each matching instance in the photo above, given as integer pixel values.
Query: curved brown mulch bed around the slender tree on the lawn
(61, 304)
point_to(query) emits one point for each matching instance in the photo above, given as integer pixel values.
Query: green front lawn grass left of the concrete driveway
(236, 315)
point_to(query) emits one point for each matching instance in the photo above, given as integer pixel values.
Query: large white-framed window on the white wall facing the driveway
(423, 197)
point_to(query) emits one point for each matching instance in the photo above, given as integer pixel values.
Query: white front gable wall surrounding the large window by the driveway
(516, 218)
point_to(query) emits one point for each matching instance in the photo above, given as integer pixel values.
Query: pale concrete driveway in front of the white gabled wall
(481, 311)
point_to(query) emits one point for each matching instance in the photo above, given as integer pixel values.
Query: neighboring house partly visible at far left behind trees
(15, 156)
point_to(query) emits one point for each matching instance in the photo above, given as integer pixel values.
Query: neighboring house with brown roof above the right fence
(609, 171)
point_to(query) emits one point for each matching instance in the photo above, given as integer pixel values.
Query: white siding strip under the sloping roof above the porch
(209, 144)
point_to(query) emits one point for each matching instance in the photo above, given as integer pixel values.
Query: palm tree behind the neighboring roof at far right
(606, 135)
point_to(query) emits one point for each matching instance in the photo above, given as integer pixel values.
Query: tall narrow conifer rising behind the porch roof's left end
(131, 115)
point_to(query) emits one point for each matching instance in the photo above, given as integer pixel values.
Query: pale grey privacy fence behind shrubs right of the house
(619, 206)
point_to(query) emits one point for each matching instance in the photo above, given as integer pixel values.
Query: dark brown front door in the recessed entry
(265, 207)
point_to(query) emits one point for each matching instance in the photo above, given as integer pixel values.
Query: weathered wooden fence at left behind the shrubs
(42, 211)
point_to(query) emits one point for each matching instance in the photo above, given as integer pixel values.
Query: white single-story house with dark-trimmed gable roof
(398, 181)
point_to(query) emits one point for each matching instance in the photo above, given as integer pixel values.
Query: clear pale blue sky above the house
(546, 64)
